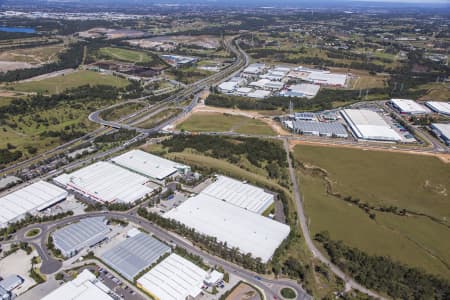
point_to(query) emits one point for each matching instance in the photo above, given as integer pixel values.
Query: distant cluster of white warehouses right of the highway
(260, 81)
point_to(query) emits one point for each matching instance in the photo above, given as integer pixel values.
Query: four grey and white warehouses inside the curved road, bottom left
(139, 258)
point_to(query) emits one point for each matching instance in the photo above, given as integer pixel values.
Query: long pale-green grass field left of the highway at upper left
(58, 84)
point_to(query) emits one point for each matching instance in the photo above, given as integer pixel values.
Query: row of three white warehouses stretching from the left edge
(124, 179)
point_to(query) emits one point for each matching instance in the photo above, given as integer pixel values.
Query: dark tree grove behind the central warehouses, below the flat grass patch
(255, 150)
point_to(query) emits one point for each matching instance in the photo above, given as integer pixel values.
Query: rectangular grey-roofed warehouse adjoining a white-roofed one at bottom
(135, 254)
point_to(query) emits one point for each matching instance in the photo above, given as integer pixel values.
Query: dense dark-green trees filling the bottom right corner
(383, 274)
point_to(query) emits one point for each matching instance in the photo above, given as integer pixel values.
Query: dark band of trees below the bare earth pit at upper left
(70, 58)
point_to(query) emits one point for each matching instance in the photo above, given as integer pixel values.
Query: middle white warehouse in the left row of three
(106, 182)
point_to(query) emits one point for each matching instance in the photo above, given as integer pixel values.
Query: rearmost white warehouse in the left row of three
(149, 165)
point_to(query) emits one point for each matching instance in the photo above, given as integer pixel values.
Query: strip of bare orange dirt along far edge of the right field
(442, 156)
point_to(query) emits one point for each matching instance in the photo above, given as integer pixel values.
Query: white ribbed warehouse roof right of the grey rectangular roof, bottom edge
(175, 278)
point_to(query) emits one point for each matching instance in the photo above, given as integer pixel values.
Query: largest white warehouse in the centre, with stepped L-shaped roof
(231, 211)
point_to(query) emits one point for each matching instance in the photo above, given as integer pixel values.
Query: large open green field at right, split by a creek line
(414, 240)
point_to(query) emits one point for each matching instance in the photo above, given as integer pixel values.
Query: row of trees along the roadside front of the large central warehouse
(209, 243)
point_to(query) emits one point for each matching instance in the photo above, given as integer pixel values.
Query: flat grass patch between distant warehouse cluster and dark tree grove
(217, 122)
